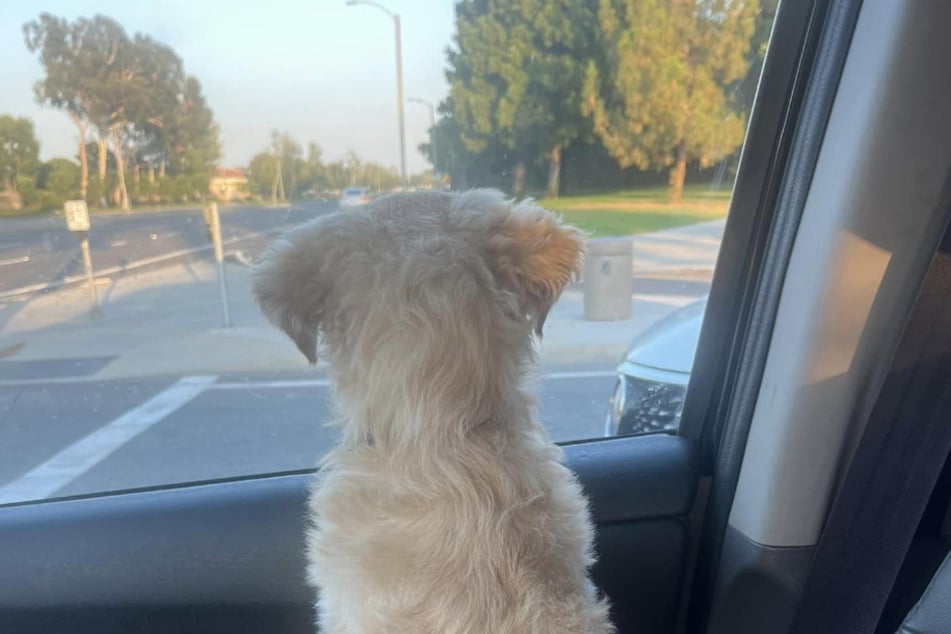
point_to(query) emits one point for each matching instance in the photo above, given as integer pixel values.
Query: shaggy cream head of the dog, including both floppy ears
(460, 268)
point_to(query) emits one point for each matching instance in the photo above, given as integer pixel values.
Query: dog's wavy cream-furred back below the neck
(495, 539)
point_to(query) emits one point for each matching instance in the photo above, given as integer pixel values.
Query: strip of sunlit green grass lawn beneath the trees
(639, 211)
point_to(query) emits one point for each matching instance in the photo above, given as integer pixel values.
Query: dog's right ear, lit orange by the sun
(535, 256)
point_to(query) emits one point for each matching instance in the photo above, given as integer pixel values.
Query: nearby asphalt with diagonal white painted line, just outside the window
(92, 436)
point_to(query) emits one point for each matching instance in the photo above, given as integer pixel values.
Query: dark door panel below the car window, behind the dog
(204, 554)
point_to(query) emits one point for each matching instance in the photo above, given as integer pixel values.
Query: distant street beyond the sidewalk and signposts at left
(38, 250)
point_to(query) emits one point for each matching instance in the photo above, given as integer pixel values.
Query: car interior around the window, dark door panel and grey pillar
(808, 489)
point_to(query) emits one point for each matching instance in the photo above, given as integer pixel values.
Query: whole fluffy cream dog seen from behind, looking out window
(445, 509)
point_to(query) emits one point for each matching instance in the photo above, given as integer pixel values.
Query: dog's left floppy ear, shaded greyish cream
(289, 288)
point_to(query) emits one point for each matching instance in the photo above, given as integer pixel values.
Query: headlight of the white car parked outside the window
(639, 406)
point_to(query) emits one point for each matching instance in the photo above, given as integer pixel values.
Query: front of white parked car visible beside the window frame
(652, 379)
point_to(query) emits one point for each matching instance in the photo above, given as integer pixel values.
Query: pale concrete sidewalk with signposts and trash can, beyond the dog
(169, 321)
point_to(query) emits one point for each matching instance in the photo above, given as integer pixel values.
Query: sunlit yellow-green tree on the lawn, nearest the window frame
(663, 94)
